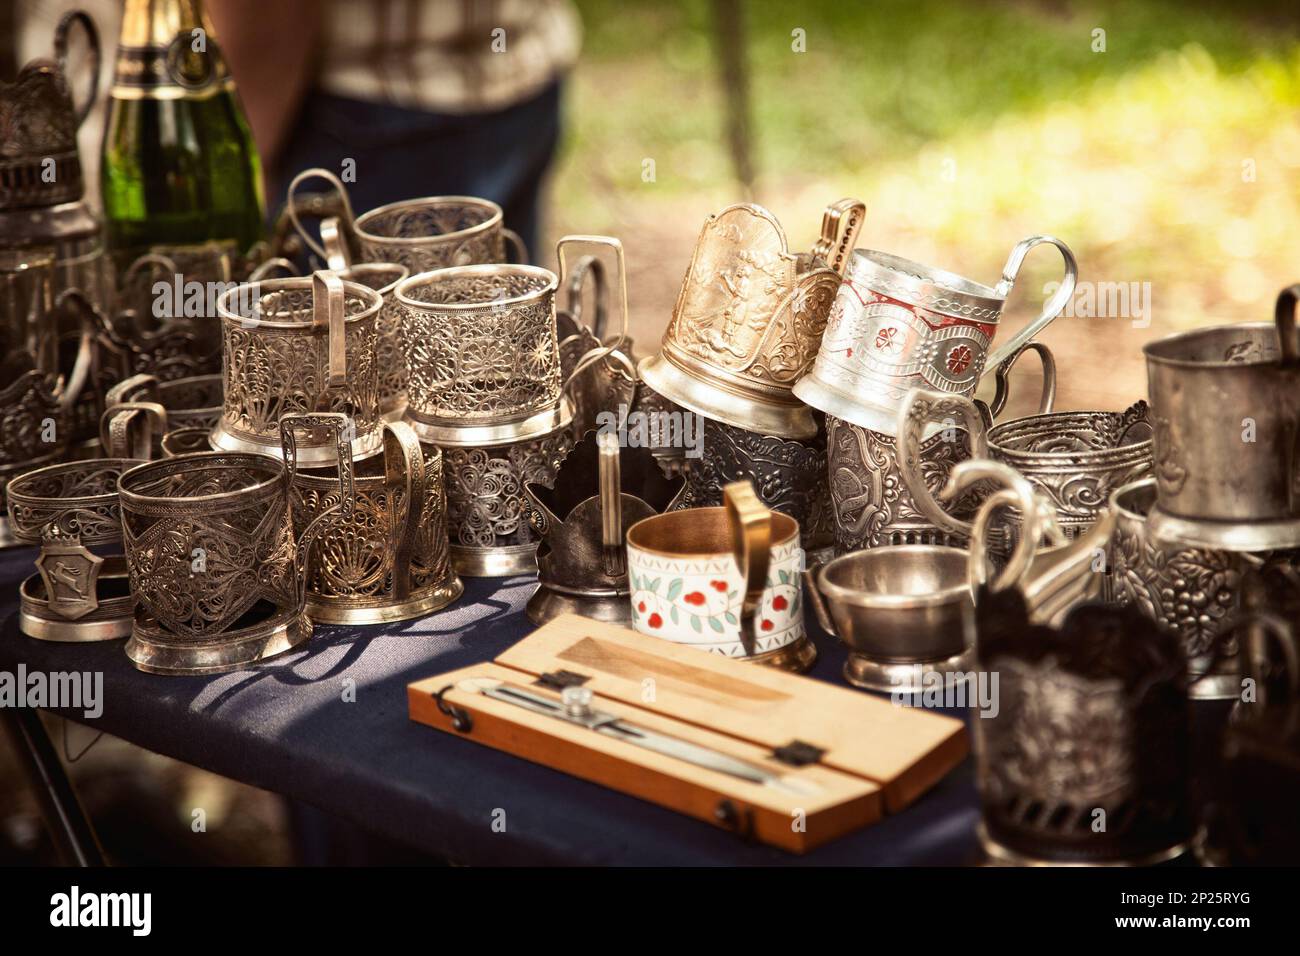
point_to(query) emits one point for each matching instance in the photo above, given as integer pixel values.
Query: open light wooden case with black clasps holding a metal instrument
(852, 756)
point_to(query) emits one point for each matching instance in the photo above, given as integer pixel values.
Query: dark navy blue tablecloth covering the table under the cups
(288, 726)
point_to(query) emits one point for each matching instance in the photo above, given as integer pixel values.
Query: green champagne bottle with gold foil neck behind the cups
(179, 165)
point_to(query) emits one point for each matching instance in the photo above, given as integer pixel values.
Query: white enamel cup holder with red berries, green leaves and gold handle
(722, 579)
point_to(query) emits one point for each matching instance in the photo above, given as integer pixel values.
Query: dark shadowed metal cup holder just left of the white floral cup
(582, 565)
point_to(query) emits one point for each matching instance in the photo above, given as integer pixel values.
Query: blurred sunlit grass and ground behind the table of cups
(1172, 158)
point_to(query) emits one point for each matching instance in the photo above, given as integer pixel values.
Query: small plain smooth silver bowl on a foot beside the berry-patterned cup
(904, 612)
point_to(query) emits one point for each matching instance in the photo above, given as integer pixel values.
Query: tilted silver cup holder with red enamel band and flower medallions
(896, 326)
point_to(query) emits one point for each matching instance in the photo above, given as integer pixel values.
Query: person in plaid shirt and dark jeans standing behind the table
(427, 97)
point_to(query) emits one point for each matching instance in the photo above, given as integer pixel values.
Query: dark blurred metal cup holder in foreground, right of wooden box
(1087, 758)
